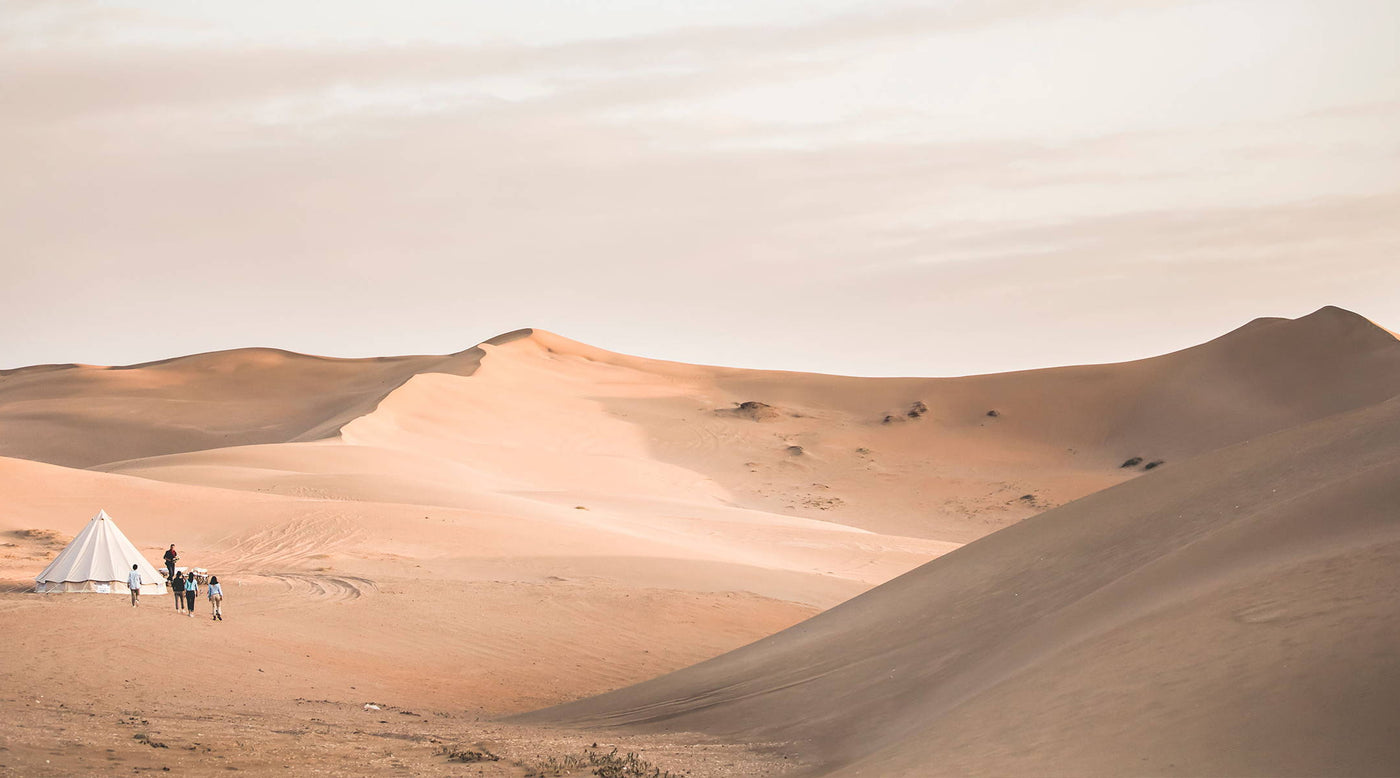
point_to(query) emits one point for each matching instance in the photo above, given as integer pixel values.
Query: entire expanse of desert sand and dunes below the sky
(960, 576)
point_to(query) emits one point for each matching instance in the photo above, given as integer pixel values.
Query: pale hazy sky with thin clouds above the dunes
(867, 188)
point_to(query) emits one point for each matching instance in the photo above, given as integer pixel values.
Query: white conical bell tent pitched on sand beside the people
(99, 560)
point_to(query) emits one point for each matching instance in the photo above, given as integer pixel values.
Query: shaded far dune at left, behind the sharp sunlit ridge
(83, 416)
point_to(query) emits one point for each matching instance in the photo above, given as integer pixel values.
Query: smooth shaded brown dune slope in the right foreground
(1233, 615)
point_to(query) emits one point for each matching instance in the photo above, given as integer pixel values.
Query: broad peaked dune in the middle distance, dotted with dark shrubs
(545, 416)
